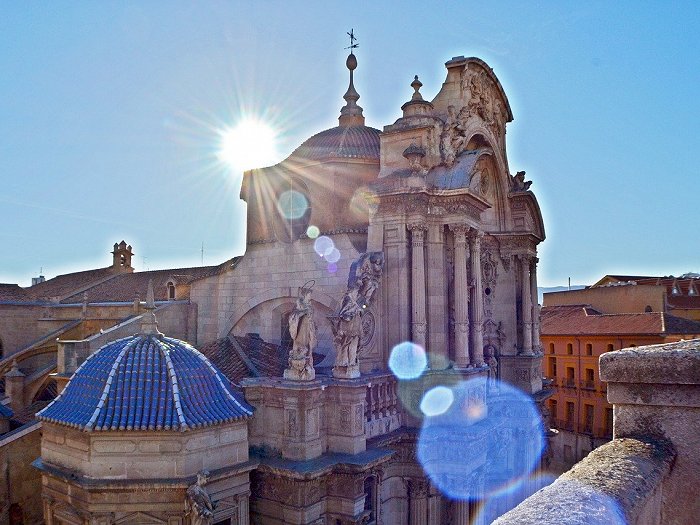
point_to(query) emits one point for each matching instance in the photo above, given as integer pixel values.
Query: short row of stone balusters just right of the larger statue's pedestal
(381, 406)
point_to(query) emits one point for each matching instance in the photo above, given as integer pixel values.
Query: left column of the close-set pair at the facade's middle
(461, 291)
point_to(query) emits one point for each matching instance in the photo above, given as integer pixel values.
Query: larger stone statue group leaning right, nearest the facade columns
(363, 282)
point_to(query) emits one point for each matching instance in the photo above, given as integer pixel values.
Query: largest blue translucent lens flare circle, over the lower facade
(489, 438)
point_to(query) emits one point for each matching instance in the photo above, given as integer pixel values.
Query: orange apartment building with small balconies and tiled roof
(578, 326)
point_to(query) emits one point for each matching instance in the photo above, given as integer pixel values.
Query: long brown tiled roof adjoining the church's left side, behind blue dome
(124, 287)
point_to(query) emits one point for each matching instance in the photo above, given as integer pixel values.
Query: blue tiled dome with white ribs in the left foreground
(146, 382)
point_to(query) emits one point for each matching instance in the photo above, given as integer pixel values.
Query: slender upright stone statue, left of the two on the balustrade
(302, 328)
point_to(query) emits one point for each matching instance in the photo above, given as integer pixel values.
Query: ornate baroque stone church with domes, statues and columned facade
(359, 241)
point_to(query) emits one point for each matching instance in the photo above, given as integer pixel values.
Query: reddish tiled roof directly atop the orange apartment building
(584, 320)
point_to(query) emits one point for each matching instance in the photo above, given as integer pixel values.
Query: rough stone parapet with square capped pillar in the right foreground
(648, 474)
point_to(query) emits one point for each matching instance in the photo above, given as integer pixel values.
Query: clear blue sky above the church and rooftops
(108, 112)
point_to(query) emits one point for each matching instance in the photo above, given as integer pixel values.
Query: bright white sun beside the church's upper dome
(251, 144)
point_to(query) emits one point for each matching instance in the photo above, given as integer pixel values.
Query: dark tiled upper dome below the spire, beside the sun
(342, 141)
